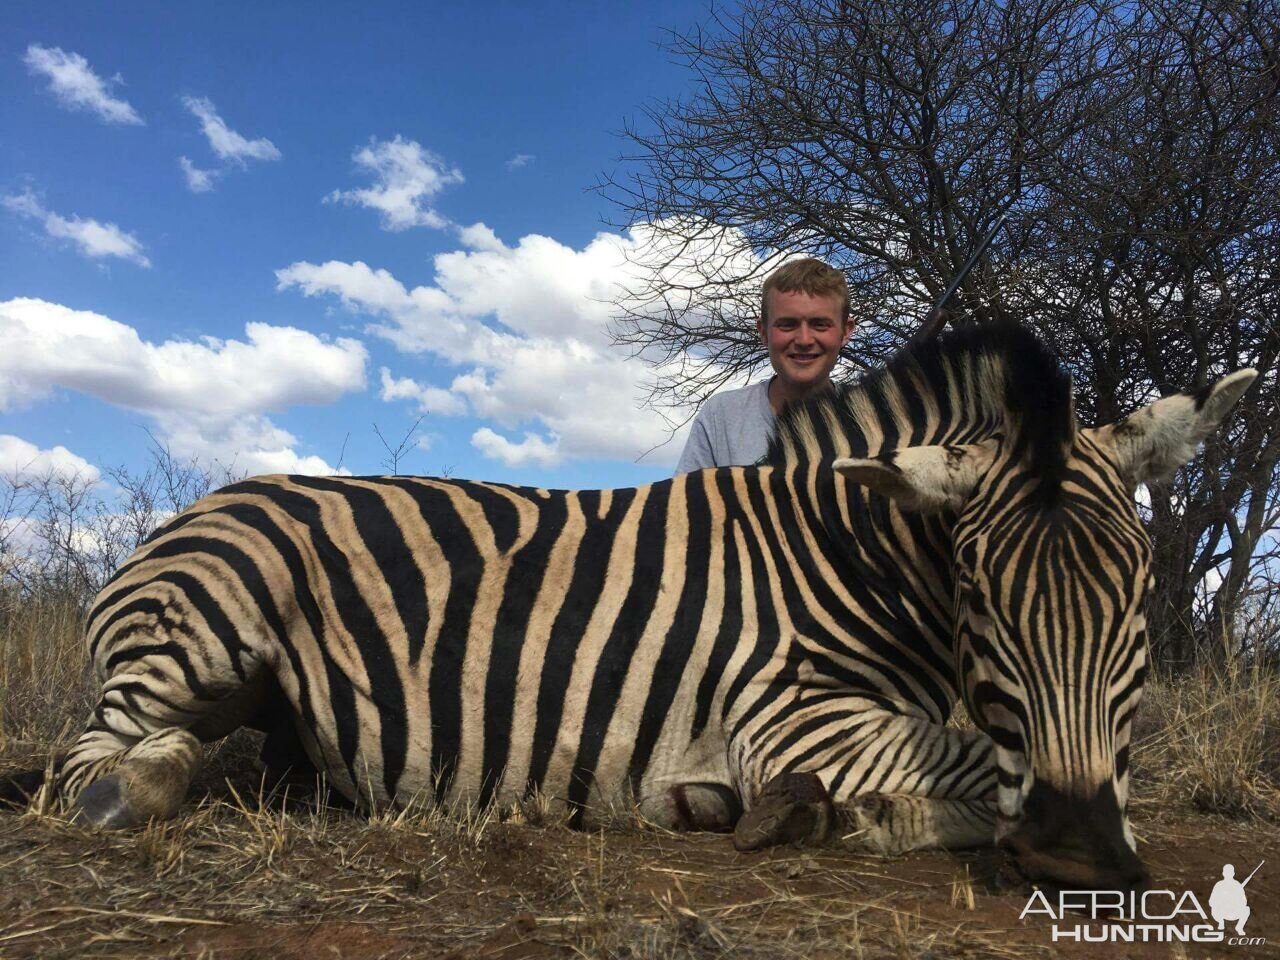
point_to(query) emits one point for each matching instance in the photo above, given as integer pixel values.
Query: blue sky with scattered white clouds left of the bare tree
(253, 231)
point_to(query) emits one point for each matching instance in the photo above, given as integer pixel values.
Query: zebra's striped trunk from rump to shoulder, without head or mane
(474, 642)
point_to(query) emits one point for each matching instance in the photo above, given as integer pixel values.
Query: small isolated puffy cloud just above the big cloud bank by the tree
(408, 177)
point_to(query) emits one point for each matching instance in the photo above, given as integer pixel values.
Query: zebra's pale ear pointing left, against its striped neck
(925, 479)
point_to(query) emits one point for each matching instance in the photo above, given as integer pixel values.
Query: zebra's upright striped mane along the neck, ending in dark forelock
(963, 387)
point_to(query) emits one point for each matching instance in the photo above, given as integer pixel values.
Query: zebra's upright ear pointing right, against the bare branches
(1155, 441)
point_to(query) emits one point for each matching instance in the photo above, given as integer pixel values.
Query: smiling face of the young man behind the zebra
(804, 336)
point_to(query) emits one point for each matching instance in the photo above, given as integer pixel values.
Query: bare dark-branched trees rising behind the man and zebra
(1133, 147)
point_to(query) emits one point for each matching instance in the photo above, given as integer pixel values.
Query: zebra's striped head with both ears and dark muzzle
(1052, 573)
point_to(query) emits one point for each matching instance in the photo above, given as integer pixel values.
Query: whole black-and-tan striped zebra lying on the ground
(772, 650)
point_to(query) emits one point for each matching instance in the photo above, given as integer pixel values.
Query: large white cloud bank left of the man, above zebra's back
(528, 327)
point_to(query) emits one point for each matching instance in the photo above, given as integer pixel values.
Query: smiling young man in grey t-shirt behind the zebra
(804, 323)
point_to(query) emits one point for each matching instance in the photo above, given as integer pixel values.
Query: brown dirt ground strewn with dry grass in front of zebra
(236, 880)
